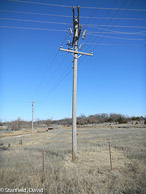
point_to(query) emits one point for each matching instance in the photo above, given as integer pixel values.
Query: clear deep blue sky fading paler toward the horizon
(33, 68)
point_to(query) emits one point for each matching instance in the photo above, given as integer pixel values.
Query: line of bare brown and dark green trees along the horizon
(81, 120)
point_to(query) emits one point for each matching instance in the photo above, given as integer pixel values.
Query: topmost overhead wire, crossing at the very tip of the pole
(68, 6)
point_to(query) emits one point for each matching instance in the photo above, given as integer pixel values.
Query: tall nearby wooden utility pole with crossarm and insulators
(75, 52)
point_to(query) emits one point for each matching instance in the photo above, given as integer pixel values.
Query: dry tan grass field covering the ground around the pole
(21, 161)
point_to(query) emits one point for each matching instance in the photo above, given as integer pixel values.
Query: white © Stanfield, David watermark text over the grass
(22, 190)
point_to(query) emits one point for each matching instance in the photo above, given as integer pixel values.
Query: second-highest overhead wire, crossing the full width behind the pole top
(66, 16)
